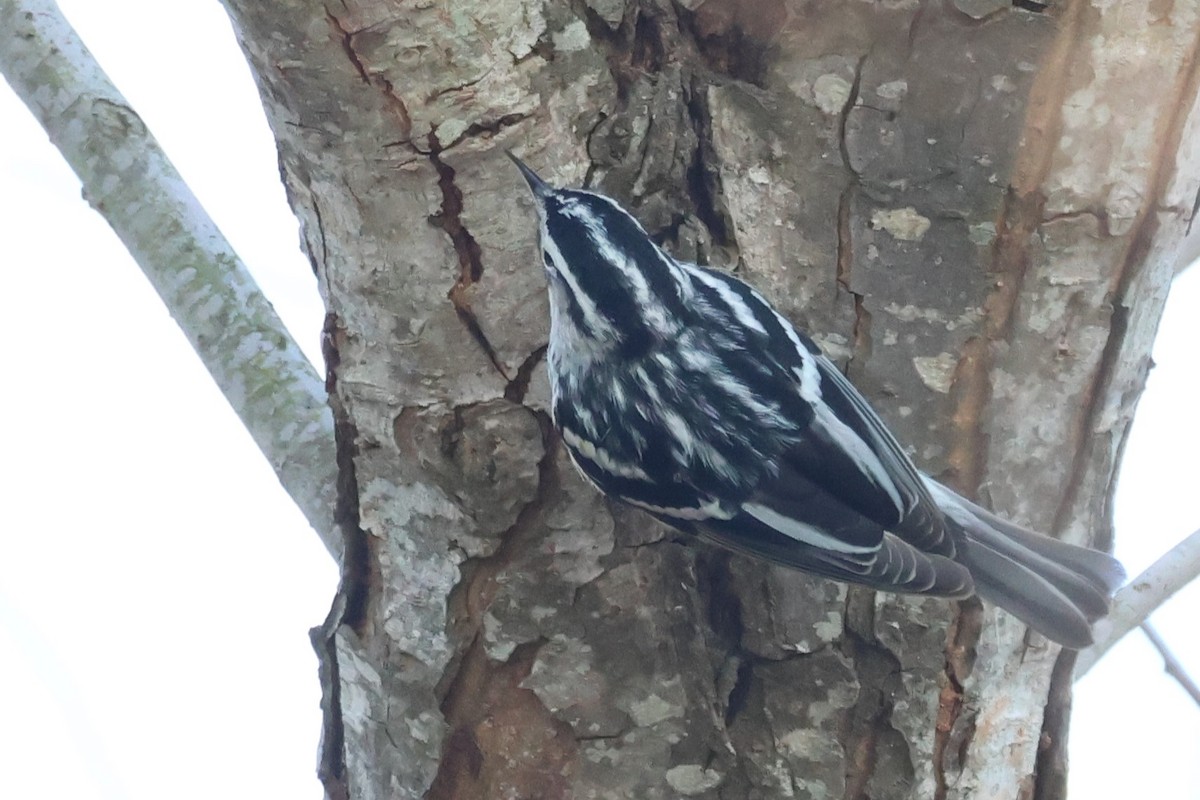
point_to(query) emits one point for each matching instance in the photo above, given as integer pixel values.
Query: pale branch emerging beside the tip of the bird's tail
(1139, 599)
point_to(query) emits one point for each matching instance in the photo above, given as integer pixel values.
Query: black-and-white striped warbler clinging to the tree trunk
(680, 390)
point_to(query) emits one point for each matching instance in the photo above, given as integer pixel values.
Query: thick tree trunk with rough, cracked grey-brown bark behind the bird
(973, 207)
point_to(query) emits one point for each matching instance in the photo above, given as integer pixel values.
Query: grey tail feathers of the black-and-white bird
(1055, 588)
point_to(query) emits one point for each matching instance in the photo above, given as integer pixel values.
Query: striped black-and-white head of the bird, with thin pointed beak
(609, 281)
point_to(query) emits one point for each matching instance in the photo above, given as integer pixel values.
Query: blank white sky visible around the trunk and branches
(157, 585)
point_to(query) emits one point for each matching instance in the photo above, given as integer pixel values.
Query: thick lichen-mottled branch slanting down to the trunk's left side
(128, 178)
